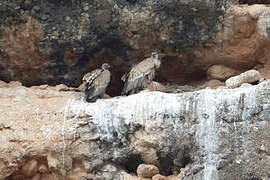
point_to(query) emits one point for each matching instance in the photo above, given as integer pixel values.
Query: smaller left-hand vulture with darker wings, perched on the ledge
(95, 83)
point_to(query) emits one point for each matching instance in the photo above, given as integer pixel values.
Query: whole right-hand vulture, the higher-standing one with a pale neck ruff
(141, 75)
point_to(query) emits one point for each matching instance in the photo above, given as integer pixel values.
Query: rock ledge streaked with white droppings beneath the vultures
(205, 134)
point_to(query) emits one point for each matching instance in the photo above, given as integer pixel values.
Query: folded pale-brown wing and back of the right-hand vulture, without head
(137, 74)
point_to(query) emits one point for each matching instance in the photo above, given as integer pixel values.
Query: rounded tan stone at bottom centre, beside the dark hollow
(147, 170)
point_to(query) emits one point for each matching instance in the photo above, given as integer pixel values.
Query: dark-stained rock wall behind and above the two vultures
(52, 42)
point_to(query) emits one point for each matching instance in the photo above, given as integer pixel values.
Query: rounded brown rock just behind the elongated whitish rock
(220, 72)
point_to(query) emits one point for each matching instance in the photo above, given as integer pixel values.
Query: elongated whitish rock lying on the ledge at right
(250, 76)
